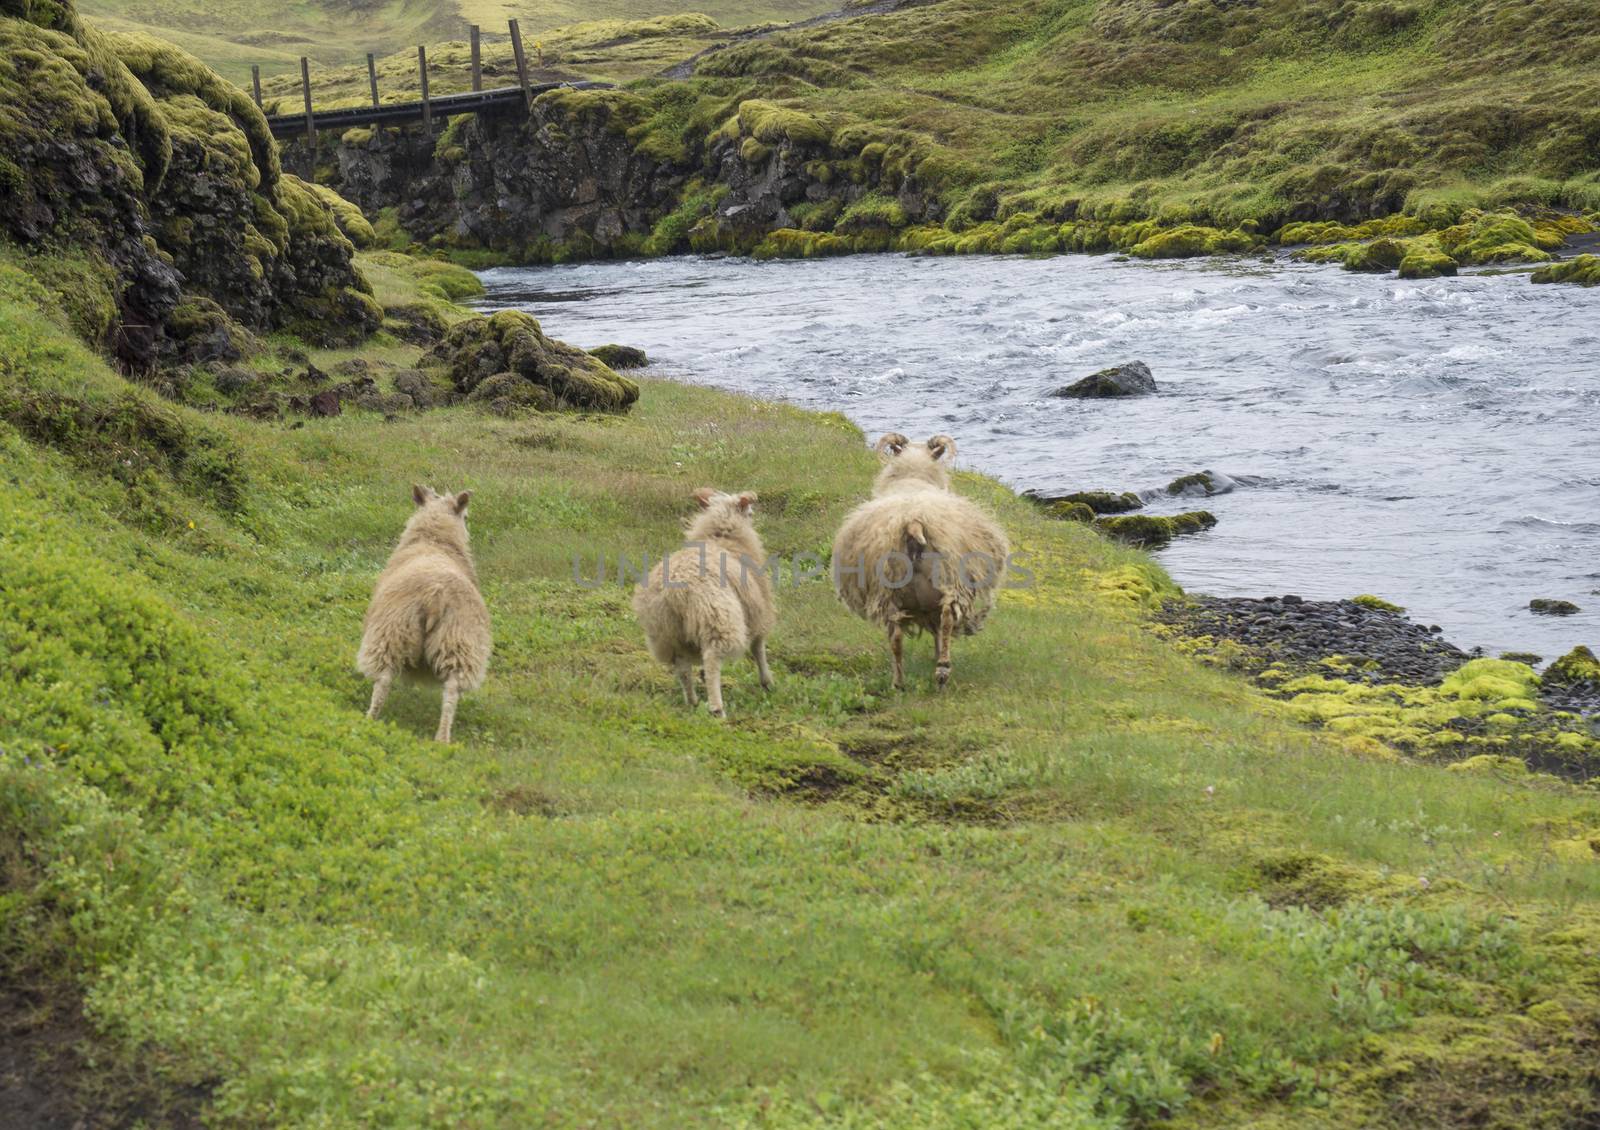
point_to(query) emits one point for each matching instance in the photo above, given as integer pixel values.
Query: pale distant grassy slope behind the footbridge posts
(231, 36)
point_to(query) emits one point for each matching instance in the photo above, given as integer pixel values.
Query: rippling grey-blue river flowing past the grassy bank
(1431, 443)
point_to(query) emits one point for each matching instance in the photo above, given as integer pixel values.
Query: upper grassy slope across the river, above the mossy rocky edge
(1215, 108)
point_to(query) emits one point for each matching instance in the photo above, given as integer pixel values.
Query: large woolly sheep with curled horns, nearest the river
(919, 556)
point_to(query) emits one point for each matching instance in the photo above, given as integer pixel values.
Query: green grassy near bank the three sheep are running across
(1094, 884)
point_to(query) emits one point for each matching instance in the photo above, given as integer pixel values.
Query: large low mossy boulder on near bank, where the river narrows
(511, 342)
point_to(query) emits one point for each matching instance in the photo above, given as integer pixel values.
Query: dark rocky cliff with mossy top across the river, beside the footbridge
(593, 174)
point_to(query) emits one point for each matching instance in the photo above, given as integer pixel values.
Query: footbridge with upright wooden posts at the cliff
(426, 108)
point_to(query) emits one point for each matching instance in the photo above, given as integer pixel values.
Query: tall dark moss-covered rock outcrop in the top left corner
(161, 183)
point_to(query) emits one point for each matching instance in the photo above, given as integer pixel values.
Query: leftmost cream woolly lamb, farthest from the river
(428, 619)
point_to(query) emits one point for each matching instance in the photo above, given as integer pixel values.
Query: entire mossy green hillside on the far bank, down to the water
(1049, 126)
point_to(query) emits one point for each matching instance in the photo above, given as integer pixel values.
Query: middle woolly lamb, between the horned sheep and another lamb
(711, 599)
